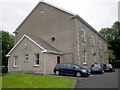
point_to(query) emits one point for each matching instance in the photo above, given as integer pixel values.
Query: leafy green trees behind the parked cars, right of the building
(113, 38)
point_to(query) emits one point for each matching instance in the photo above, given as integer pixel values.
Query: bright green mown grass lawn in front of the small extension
(35, 81)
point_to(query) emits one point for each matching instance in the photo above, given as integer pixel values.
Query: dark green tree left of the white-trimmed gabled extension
(7, 41)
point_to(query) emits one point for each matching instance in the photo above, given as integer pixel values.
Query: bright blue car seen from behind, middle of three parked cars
(97, 68)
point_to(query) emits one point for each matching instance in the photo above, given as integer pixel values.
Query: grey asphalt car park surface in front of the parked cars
(106, 80)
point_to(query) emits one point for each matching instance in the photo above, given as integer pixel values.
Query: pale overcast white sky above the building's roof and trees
(98, 13)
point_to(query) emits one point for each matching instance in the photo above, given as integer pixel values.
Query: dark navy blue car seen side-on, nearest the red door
(70, 69)
